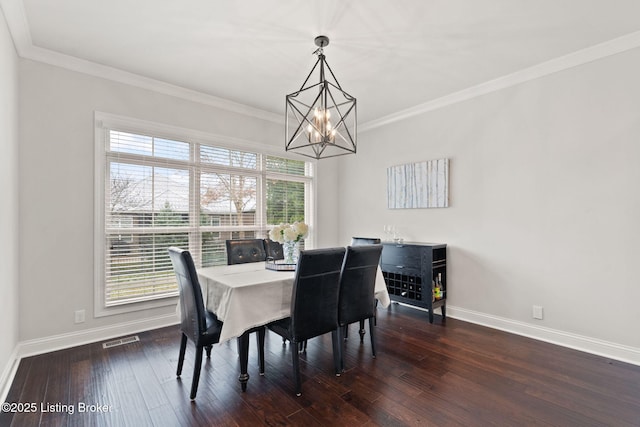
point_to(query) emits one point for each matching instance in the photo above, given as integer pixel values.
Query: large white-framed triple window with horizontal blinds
(156, 191)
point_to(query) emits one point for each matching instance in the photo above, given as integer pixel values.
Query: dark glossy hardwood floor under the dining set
(451, 373)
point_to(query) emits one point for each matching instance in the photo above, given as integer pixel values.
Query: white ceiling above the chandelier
(392, 55)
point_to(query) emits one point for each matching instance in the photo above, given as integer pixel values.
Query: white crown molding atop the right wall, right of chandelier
(574, 59)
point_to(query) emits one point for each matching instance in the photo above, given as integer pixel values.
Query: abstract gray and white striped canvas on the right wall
(418, 185)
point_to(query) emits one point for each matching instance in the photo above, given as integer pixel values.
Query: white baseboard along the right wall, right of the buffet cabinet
(598, 347)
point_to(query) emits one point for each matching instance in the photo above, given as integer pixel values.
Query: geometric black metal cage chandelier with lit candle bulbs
(321, 118)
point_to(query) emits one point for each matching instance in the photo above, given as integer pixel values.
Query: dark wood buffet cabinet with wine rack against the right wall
(416, 274)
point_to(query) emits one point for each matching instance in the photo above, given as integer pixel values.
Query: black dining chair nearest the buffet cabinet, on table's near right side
(356, 301)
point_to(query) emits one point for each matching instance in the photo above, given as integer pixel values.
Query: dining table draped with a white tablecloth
(249, 296)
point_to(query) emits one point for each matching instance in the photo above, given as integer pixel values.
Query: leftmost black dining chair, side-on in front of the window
(197, 324)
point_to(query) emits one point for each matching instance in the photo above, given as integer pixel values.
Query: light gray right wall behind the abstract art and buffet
(544, 200)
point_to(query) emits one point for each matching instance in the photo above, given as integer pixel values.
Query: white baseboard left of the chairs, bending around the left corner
(73, 339)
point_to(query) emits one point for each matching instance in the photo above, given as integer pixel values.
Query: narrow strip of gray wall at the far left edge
(9, 197)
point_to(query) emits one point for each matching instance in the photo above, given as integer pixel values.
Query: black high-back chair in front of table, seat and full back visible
(314, 304)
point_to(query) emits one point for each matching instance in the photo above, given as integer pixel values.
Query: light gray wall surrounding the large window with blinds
(56, 170)
